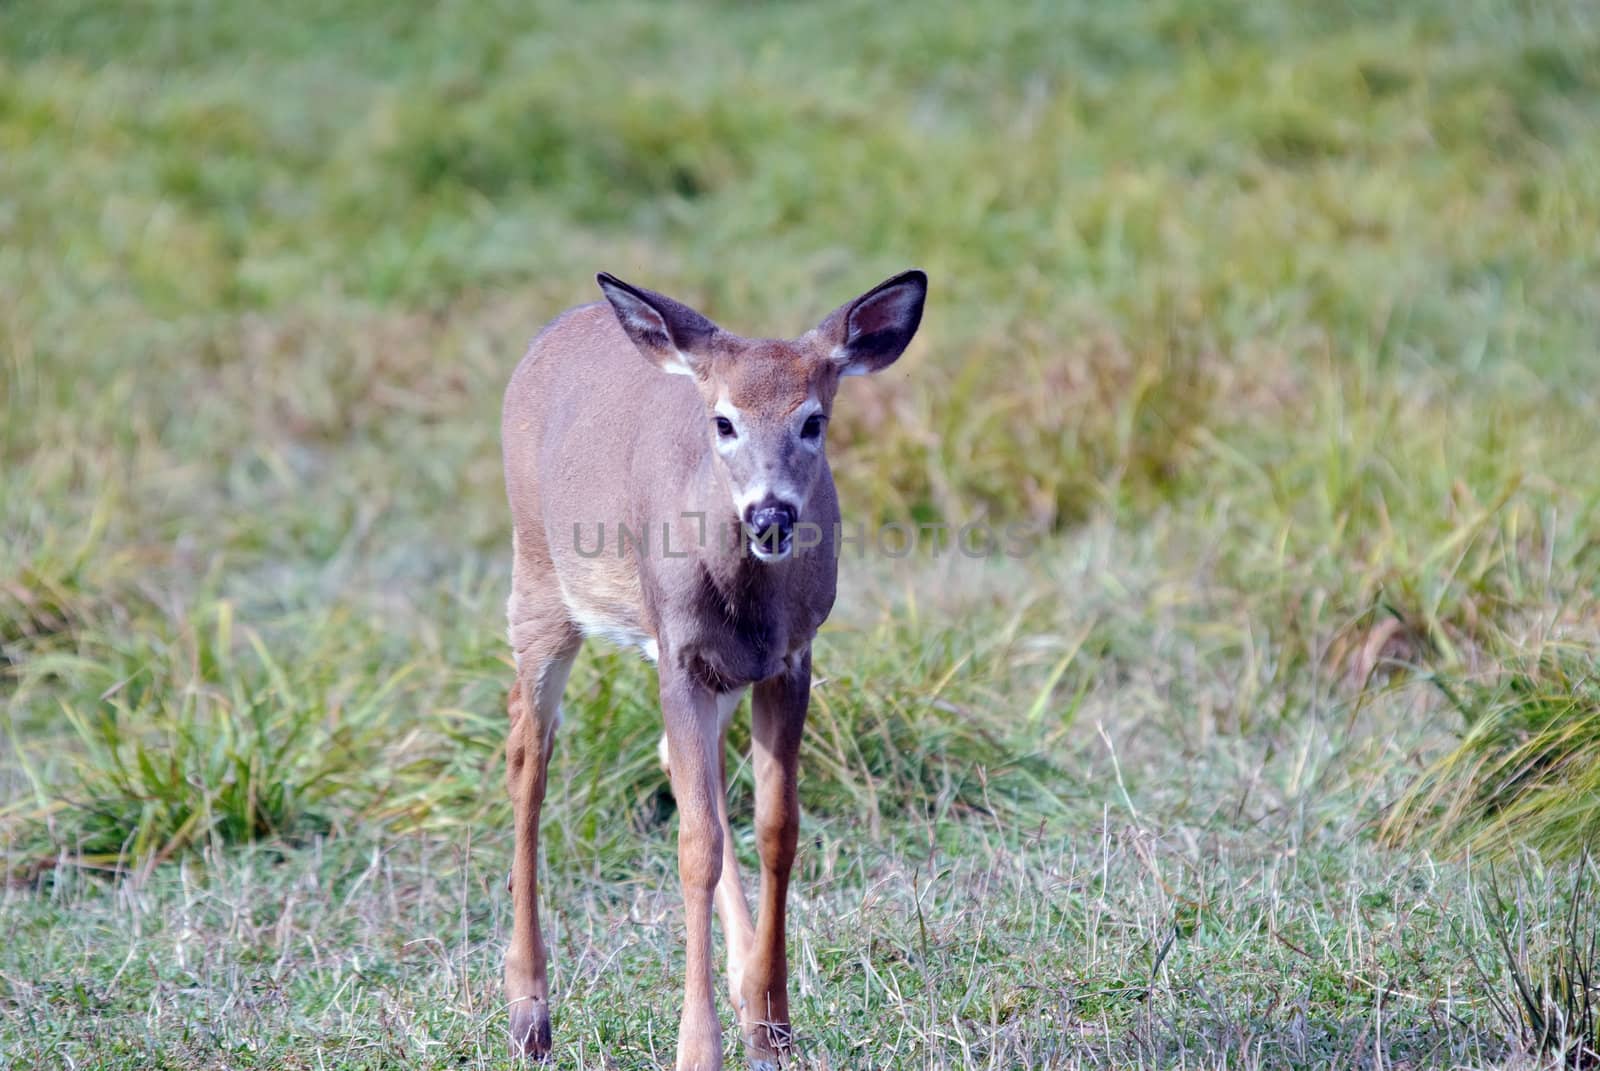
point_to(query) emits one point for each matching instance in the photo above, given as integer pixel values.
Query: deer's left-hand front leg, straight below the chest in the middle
(694, 734)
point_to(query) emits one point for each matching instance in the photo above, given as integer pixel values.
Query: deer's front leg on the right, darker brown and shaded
(778, 723)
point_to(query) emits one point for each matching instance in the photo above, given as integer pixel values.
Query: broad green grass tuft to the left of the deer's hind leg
(199, 737)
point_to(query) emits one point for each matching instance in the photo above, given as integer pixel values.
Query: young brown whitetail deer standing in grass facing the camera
(710, 479)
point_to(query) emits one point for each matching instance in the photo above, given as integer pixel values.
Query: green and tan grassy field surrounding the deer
(1279, 319)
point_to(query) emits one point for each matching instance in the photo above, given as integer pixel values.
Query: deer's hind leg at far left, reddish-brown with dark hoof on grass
(545, 656)
